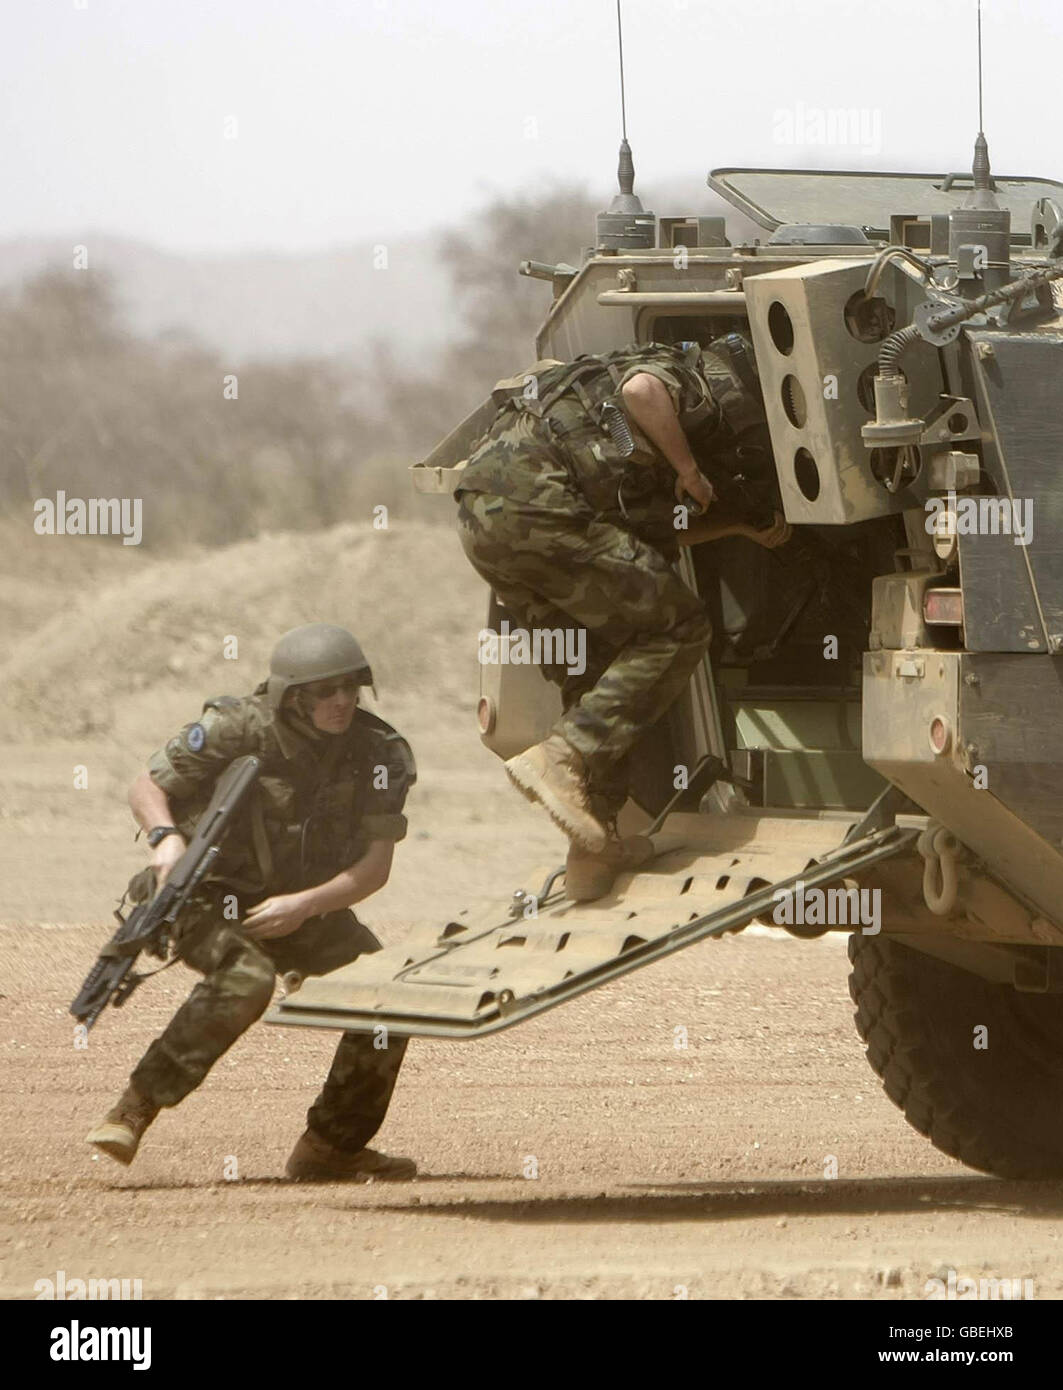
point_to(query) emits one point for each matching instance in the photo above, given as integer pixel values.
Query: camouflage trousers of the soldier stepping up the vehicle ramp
(647, 630)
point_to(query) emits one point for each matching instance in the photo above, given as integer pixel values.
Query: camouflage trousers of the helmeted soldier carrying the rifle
(237, 988)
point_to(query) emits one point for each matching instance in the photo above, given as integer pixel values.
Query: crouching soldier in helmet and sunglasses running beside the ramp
(318, 836)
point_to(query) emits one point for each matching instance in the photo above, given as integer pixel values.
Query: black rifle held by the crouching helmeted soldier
(149, 925)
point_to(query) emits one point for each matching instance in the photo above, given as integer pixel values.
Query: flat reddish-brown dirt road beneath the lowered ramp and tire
(662, 1172)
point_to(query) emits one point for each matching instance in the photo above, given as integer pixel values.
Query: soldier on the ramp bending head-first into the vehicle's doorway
(573, 508)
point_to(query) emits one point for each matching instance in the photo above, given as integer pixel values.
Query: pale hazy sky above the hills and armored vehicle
(299, 124)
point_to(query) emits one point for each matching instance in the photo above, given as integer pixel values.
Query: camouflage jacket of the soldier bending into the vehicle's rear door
(551, 448)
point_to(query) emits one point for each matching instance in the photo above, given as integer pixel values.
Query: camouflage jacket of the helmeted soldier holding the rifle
(318, 806)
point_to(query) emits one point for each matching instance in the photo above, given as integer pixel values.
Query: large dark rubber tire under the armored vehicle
(998, 1110)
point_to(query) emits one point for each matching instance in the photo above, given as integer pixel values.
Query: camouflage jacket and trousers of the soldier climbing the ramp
(566, 529)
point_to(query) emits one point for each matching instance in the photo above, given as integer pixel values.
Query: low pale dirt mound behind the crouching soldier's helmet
(99, 640)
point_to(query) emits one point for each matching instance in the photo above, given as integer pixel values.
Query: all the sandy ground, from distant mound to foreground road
(582, 1156)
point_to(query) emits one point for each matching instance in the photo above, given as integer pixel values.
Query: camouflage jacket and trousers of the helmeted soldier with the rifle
(318, 806)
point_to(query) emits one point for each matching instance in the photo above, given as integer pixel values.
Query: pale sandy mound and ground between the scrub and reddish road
(110, 651)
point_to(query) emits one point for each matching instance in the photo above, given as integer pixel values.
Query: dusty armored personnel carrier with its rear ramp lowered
(877, 725)
